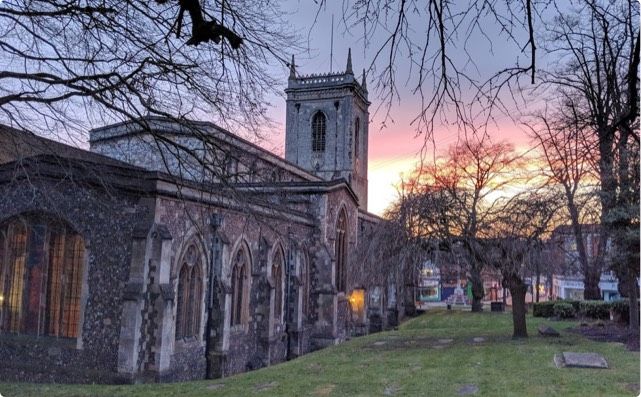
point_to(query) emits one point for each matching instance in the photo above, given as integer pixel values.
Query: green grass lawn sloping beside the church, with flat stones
(412, 362)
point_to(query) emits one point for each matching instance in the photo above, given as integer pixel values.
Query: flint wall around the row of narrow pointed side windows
(252, 346)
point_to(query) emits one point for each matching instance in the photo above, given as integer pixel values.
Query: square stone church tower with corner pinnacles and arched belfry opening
(327, 126)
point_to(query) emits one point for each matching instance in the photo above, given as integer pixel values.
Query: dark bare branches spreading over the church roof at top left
(68, 65)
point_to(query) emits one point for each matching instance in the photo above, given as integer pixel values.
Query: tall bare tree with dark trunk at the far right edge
(597, 44)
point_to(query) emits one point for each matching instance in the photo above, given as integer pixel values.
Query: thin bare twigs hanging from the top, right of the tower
(439, 38)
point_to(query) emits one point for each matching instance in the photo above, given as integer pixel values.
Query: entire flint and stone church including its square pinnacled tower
(176, 251)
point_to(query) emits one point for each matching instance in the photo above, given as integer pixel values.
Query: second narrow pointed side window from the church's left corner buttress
(240, 287)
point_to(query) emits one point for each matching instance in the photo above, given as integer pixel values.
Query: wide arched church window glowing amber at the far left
(41, 266)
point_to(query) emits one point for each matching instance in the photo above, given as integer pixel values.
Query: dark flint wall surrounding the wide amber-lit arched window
(95, 214)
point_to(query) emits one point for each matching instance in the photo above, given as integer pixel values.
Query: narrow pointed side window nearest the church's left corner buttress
(190, 294)
